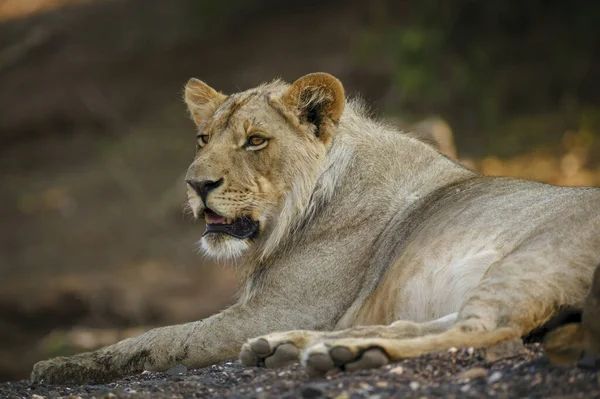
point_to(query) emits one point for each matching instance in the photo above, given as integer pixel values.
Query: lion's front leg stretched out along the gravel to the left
(197, 344)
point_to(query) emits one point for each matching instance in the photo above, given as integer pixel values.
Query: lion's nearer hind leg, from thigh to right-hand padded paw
(505, 305)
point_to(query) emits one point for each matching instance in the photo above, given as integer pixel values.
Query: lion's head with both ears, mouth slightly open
(257, 156)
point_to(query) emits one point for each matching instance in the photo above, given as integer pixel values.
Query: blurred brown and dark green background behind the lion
(94, 136)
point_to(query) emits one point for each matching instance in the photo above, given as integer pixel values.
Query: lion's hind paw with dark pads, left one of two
(277, 349)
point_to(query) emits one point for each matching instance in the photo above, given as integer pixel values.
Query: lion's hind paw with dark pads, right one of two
(342, 354)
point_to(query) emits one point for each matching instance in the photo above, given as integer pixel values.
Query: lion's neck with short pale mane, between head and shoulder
(372, 173)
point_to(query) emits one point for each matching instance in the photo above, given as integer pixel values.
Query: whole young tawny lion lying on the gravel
(357, 245)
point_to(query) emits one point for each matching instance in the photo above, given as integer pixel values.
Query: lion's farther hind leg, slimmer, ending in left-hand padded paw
(282, 348)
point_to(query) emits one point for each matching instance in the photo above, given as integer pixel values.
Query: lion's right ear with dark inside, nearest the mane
(317, 98)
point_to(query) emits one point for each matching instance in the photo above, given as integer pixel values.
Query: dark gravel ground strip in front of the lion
(464, 373)
